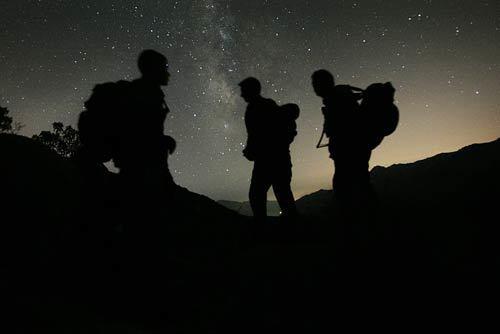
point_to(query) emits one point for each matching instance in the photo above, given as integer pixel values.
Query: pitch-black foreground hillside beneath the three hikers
(75, 258)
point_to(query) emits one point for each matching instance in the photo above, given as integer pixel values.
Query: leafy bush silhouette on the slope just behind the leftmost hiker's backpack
(64, 140)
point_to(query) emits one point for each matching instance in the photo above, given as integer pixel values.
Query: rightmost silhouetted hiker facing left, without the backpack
(347, 145)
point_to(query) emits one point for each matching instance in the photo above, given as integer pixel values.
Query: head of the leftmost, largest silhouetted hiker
(154, 67)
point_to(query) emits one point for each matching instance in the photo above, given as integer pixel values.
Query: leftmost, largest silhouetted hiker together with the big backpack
(124, 122)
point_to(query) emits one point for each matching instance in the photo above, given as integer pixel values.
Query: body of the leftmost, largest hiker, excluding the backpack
(143, 148)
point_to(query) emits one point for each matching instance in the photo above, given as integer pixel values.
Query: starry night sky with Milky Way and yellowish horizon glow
(443, 57)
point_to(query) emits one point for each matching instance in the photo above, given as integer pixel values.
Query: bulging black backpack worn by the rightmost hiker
(380, 114)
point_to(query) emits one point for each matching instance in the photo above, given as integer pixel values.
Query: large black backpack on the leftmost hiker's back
(99, 124)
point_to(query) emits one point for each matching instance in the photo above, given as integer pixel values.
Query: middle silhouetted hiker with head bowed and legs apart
(268, 147)
